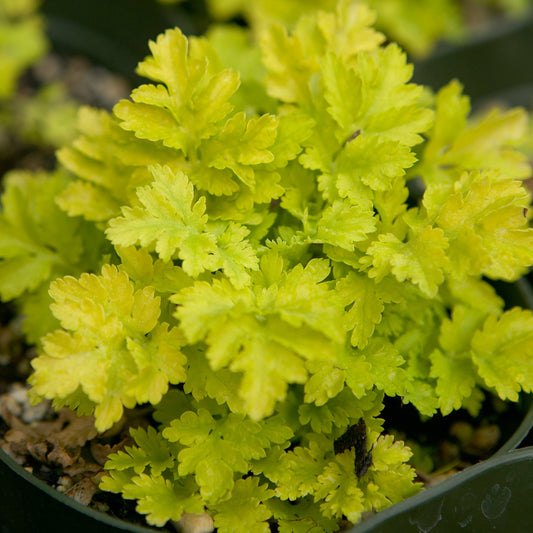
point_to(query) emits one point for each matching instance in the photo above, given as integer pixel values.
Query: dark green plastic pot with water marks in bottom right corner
(492, 496)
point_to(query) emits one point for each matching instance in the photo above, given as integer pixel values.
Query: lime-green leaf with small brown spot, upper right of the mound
(376, 137)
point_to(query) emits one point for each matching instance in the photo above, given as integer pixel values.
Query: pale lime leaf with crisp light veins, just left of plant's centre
(171, 219)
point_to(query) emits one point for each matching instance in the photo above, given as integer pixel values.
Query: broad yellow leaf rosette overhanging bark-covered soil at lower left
(111, 346)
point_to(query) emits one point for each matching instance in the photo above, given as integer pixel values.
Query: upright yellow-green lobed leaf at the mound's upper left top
(192, 99)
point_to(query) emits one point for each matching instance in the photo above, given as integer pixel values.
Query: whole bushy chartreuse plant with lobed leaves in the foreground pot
(238, 246)
